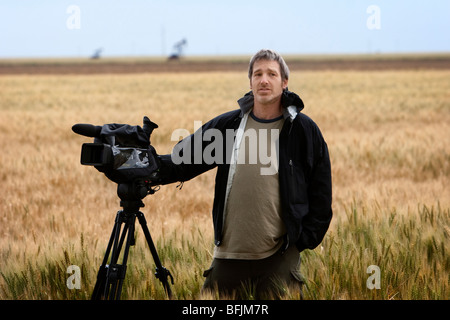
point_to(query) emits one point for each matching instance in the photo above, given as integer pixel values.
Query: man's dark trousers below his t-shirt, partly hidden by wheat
(267, 278)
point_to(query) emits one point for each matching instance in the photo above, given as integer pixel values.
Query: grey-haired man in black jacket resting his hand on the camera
(271, 202)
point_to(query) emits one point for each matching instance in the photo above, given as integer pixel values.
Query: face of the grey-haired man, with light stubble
(266, 82)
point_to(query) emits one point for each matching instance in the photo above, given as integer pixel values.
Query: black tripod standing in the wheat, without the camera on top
(110, 276)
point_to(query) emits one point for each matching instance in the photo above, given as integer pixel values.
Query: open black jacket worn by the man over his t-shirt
(304, 171)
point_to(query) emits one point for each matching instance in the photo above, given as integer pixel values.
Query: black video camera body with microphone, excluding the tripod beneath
(122, 152)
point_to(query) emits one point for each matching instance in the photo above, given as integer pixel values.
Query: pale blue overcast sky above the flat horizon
(76, 28)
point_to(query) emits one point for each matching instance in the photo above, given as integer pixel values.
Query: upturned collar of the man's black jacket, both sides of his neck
(291, 103)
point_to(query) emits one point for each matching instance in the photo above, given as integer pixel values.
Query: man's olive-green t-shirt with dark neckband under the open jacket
(253, 228)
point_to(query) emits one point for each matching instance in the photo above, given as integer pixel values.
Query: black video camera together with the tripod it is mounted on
(124, 154)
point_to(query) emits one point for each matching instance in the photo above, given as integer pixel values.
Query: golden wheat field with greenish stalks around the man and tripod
(388, 135)
